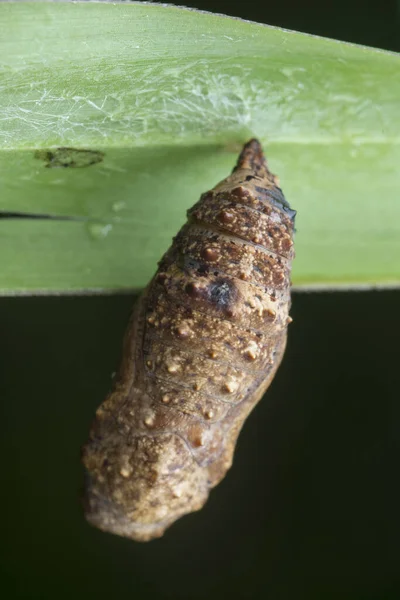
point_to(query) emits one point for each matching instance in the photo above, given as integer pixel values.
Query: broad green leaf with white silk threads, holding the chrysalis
(162, 98)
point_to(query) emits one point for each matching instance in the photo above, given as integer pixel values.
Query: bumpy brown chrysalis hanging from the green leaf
(201, 348)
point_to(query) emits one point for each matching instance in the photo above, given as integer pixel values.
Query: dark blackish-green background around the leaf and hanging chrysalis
(308, 509)
